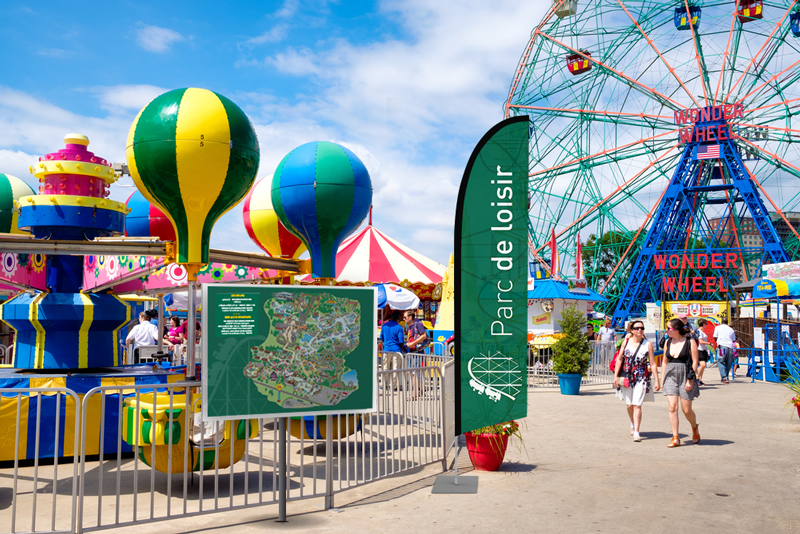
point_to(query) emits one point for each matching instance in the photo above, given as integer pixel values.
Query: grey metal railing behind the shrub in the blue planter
(540, 368)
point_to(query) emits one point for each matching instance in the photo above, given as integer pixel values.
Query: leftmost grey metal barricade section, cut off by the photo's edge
(33, 486)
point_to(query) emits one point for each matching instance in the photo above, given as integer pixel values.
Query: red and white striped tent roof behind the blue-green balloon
(372, 256)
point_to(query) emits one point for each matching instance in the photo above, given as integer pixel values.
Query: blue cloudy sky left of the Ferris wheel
(409, 86)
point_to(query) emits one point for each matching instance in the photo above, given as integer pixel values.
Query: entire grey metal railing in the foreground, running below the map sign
(157, 458)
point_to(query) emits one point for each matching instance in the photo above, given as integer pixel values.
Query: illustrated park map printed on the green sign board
(302, 363)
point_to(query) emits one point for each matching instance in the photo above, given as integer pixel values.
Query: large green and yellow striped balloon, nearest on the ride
(194, 154)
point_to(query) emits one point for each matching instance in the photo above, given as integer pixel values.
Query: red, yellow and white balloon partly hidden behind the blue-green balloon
(264, 227)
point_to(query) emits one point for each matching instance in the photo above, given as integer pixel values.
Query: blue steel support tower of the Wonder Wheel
(681, 227)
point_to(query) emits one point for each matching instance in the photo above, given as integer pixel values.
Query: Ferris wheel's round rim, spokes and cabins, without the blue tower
(604, 82)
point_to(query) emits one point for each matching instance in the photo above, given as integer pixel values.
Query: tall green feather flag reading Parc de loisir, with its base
(491, 278)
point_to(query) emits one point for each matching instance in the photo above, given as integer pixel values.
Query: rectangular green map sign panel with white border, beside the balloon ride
(273, 351)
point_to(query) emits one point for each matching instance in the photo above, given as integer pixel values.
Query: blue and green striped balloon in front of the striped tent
(321, 192)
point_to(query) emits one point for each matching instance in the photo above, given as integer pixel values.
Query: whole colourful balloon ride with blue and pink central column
(193, 155)
